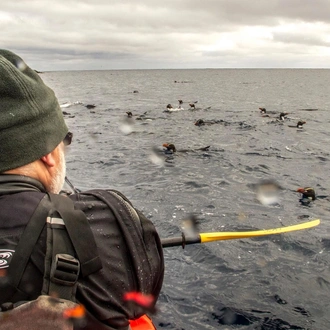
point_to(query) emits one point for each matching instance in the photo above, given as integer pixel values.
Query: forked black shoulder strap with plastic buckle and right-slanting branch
(67, 254)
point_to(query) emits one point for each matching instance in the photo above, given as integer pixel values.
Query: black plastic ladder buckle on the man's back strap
(65, 269)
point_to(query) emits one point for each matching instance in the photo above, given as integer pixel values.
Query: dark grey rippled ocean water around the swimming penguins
(271, 282)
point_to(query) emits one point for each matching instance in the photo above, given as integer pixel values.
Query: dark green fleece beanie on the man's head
(31, 120)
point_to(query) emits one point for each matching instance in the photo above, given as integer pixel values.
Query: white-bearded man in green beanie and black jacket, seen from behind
(116, 249)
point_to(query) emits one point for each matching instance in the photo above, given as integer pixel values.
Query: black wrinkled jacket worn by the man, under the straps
(132, 258)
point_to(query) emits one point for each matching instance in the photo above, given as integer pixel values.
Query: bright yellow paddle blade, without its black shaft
(209, 237)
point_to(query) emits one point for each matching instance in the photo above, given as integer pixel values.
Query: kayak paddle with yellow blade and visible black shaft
(219, 236)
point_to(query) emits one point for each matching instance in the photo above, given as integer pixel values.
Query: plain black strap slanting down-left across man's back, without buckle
(24, 250)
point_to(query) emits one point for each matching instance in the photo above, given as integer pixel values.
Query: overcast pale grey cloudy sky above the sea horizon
(132, 34)
